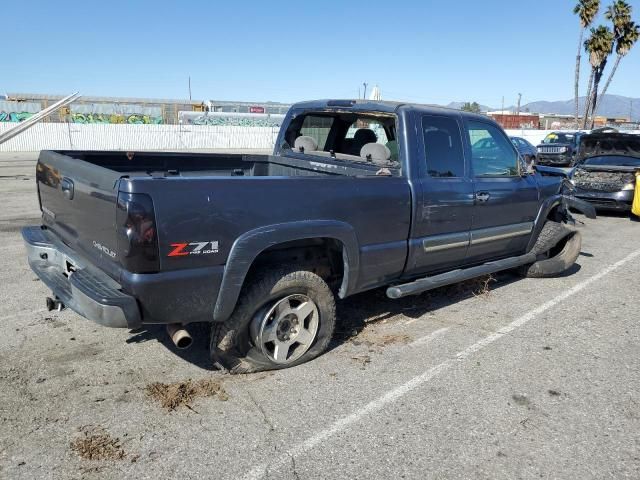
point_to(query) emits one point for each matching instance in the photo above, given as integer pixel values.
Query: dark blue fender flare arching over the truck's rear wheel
(249, 245)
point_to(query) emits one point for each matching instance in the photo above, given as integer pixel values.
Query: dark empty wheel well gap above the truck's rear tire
(322, 256)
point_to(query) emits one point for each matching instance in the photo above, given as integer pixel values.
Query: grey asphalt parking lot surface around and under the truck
(528, 379)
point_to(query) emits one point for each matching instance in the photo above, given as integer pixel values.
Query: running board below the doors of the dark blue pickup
(460, 275)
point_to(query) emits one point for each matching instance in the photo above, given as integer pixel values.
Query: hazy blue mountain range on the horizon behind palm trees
(611, 106)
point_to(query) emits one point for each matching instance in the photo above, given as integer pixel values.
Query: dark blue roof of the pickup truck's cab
(386, 106)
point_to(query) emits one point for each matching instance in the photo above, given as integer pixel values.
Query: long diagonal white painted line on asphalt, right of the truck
(391, 396)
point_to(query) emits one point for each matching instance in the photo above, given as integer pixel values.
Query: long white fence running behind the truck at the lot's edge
(70, 136)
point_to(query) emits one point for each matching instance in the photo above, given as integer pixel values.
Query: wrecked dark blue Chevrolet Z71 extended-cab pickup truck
(356, 195)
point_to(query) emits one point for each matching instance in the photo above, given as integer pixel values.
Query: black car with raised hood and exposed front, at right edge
(605, 171)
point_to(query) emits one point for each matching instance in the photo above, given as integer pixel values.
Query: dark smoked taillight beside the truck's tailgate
(137, 234)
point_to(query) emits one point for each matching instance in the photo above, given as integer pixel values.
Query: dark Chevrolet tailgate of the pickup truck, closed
(78, 202)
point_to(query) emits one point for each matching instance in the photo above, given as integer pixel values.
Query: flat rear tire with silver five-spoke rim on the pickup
(283, 318)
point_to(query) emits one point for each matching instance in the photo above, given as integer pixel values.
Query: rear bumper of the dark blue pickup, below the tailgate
(87, 291)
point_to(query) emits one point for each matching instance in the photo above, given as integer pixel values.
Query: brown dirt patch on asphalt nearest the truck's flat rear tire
(182, 394)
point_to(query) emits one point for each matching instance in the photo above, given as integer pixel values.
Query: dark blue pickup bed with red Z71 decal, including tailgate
(131, 216)
